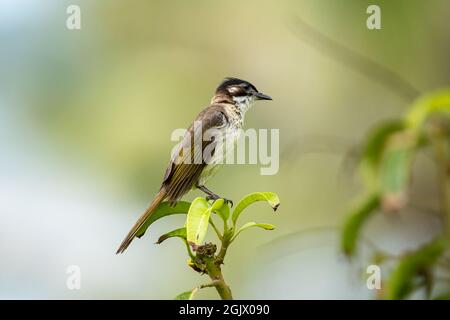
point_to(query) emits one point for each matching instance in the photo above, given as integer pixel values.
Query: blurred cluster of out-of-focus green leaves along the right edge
(386, 165)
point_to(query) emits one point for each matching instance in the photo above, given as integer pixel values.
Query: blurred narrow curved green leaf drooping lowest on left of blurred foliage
(357, 217)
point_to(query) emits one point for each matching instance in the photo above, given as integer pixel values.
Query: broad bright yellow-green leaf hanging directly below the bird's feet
(198, 220)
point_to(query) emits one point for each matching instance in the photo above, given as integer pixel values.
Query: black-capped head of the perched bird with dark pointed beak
(241, 92)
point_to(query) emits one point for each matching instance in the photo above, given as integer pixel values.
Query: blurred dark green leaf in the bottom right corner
(401, 282)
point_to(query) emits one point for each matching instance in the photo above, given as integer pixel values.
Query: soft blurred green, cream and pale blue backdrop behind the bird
(86, 118)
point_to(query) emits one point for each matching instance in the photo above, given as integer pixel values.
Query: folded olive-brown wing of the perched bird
(188, 162)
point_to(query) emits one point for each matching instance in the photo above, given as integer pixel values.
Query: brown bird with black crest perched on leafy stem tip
(188, 167)
